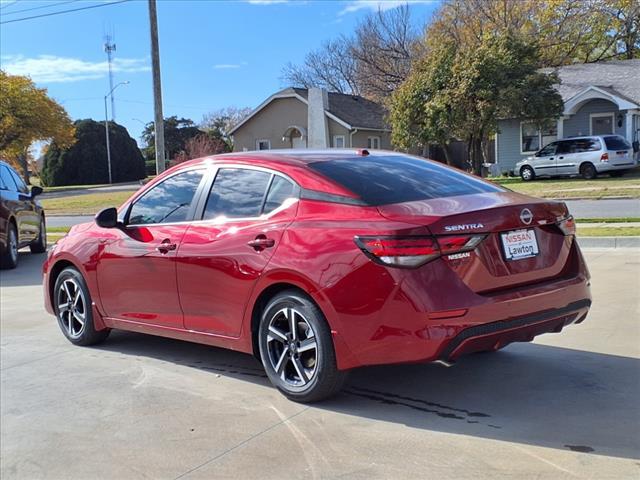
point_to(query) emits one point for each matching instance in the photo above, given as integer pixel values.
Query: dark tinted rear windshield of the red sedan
(380, 180)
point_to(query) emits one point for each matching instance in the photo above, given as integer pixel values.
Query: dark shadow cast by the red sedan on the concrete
(528, 393)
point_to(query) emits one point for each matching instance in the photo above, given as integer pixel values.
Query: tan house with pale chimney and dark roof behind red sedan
(313, 118)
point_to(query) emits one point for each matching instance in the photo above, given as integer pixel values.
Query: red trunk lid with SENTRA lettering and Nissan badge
(488, 268)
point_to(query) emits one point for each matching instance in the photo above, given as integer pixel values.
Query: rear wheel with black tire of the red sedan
(322, 378)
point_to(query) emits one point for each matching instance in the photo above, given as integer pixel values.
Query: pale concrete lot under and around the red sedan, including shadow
(566, 406)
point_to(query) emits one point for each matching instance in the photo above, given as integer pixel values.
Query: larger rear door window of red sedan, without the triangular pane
(237, 193)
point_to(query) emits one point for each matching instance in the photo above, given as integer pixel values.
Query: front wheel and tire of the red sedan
(68, 283)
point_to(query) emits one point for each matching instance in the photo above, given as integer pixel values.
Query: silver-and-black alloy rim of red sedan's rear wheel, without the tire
(292, 347)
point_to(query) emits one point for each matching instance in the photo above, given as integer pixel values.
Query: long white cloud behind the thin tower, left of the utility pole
(54, 69)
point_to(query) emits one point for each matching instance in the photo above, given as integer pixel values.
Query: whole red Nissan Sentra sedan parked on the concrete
(318, 262)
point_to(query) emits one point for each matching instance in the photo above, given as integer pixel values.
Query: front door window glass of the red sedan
(168, 201)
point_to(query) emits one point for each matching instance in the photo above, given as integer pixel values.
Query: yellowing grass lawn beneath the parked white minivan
(567, 188)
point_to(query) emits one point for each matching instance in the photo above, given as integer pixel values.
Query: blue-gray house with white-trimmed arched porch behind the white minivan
(599, 99)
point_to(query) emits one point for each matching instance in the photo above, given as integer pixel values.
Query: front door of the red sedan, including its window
(136, 267)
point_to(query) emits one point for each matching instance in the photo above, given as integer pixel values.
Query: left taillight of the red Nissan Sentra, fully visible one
(414, 251)
